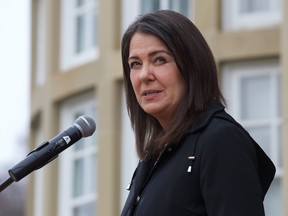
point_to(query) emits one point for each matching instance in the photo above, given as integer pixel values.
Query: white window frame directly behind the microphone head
(67, 202)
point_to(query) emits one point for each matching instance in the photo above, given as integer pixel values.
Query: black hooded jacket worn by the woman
(217, 170)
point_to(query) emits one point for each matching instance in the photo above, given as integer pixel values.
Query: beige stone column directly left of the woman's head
(109, 110)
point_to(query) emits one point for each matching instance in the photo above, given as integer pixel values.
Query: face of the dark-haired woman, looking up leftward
(156, 80)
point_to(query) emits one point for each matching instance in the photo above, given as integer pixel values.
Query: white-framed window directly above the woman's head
(132, 8)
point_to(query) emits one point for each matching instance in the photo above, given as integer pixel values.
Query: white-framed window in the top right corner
(247, 14)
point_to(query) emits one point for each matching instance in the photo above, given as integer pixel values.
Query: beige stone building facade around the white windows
(103, 77)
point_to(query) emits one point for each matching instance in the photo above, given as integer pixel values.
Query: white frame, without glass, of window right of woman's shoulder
(232, 75)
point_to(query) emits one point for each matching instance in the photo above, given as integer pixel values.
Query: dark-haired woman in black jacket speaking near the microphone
(195, 159)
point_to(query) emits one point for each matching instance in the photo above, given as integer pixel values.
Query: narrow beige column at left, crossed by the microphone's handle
(49, 119)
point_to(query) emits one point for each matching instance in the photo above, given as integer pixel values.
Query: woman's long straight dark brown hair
(195, 62)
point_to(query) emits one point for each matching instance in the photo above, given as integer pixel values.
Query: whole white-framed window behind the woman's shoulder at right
(253, 95)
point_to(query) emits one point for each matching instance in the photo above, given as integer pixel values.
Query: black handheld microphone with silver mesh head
(83, 126)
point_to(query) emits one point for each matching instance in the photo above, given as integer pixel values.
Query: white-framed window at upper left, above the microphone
(79, 36)
